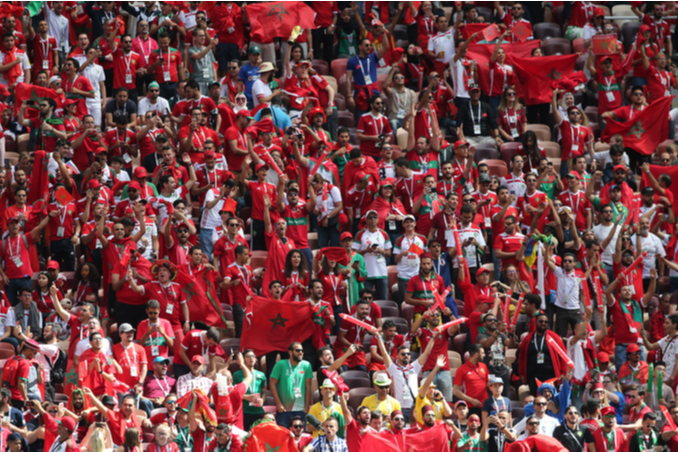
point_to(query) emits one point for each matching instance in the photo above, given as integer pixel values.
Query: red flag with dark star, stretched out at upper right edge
(645, 130)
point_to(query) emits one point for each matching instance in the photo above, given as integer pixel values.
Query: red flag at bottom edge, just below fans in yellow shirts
(435, 438)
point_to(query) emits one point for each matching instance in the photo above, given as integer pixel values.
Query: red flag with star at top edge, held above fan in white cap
(277, 19)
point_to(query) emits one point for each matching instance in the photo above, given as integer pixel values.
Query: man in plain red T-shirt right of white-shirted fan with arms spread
(470, 380)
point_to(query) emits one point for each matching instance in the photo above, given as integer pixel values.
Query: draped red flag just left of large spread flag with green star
(201, 296)
